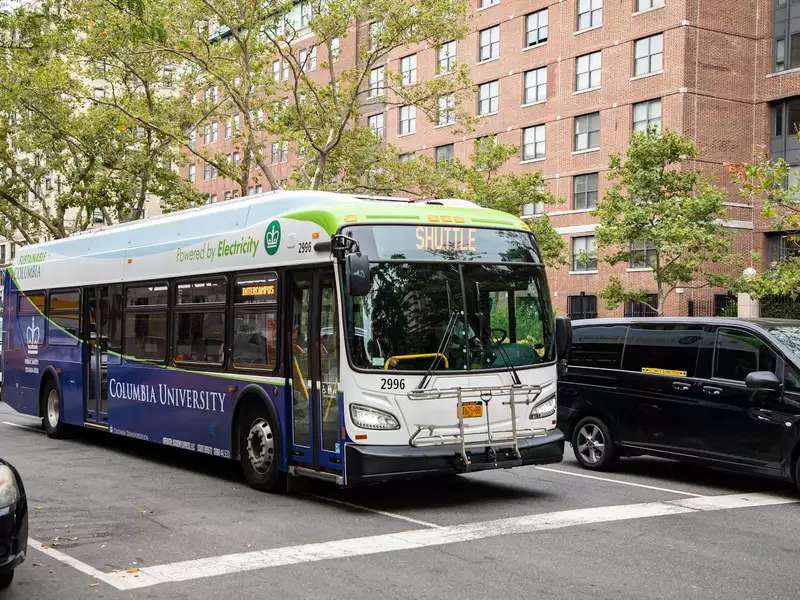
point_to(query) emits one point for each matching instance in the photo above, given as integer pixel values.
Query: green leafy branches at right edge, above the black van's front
(768, 184)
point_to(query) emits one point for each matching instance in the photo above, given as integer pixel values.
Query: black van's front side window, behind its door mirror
(739, 353)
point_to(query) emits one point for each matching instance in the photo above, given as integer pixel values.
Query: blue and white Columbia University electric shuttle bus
(315, 334)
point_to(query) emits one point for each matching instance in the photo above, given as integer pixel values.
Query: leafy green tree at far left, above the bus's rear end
(63, 158)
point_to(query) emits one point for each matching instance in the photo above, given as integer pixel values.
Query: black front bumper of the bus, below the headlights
(370, 464)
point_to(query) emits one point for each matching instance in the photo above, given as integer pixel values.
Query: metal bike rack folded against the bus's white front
(496, 440)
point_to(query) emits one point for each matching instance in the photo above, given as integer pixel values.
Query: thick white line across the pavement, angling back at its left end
(230, 564)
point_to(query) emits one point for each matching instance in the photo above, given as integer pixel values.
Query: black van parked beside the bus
(724, 392)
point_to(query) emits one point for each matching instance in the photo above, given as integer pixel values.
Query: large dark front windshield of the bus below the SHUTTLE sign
(454, 315)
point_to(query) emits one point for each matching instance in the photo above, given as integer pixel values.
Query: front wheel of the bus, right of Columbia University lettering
(259, 448)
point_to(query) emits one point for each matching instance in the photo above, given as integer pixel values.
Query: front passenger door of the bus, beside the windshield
(314, 380)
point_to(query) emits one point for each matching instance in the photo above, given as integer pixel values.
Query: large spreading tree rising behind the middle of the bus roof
(249, 61)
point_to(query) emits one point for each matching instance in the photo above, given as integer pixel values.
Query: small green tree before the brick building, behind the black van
(657, 198)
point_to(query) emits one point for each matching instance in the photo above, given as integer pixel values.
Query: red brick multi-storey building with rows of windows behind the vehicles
(568, 81)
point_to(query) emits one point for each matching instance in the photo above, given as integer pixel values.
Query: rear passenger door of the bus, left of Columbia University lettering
(103, 326)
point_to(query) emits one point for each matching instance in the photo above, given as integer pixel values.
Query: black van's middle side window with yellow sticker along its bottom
(663, 349)
